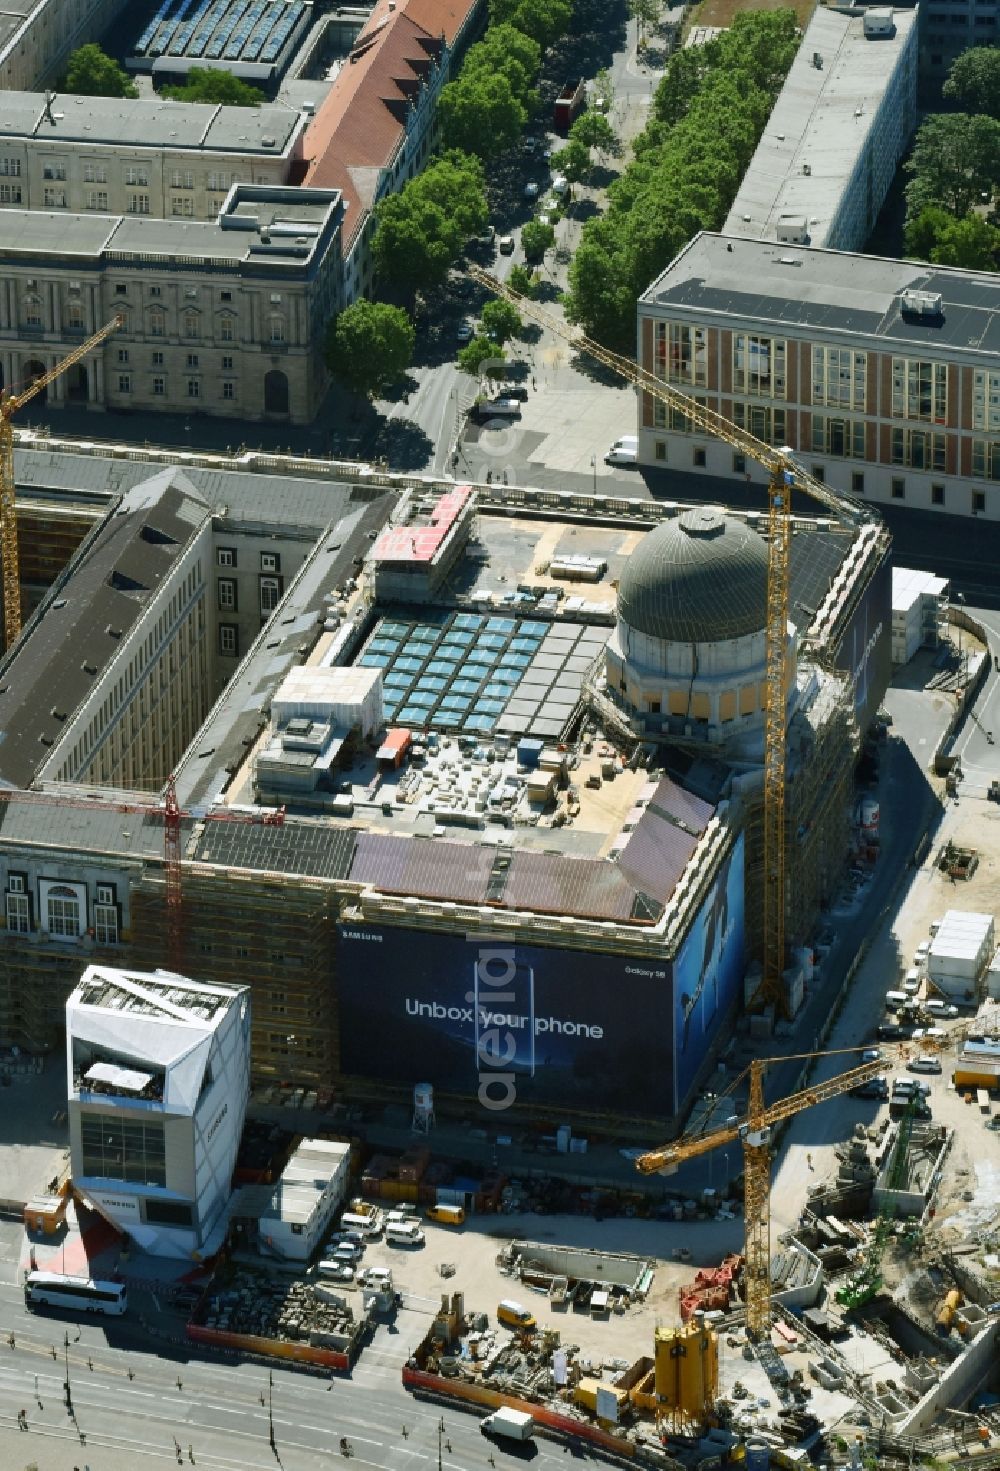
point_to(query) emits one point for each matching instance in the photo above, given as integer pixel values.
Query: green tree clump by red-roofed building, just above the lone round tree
(424, 229)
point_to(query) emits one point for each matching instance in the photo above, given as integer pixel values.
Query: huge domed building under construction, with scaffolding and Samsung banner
(437, 808)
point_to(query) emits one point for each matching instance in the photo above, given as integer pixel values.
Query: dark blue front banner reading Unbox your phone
(505, 1023)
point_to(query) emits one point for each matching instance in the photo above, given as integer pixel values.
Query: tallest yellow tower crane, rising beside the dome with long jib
(785, 476)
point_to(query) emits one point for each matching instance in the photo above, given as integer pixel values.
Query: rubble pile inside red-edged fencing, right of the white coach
(290, 1311)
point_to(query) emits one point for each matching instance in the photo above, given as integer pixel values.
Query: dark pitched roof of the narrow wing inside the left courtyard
(86, 617)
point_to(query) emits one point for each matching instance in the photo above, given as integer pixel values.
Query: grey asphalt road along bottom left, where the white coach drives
(217, 1408)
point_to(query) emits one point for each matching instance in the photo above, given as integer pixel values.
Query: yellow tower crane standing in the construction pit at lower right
(755, 1135)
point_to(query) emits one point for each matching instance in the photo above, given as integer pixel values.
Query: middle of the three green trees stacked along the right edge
(955, 158)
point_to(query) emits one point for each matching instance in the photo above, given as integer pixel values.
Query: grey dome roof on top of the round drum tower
(699, 579)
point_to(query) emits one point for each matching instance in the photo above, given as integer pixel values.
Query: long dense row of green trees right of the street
(708, 115)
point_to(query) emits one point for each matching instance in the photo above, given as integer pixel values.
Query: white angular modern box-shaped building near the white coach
(158, 1082)
